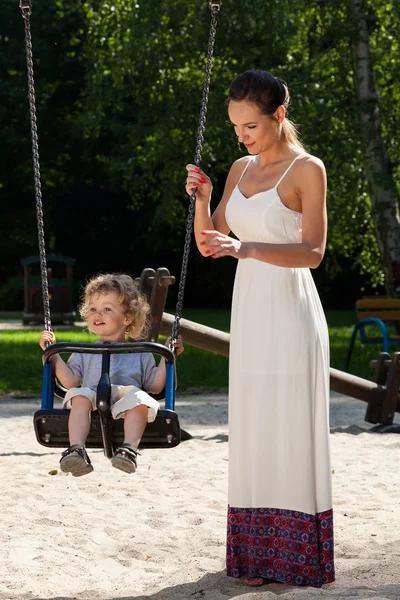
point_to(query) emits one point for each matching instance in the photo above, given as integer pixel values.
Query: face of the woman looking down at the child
(256, 131)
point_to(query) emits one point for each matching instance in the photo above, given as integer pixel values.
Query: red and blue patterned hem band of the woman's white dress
(284, 545)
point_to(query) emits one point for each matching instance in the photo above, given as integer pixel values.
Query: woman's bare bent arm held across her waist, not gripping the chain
(309, 253)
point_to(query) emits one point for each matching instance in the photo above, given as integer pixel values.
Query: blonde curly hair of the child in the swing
(133, 303)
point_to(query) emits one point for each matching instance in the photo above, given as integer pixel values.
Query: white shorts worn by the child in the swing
(123, 398)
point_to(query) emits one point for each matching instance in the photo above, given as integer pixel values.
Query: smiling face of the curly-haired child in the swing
(106, 317)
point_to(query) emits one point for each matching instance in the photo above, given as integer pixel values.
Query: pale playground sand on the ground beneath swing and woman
(160, 534)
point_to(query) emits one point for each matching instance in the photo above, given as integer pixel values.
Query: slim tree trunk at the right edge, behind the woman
(382, 187)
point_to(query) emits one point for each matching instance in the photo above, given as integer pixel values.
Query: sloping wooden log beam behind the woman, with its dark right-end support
(381, 395)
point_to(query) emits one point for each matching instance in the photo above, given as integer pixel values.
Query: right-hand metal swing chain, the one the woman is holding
(214, 7)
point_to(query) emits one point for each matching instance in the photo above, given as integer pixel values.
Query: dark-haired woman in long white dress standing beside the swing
(280, 521)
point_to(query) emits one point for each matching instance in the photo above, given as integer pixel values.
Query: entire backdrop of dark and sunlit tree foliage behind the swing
(119, 87)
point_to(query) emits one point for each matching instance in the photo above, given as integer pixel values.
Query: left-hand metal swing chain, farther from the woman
(26, 7)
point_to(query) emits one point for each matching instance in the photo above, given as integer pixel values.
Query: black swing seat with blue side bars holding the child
(51, 425)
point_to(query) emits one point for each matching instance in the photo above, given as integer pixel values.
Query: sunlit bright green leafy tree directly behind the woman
(147, 83)
